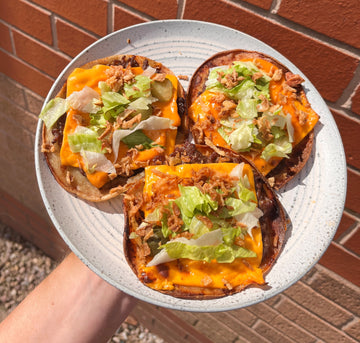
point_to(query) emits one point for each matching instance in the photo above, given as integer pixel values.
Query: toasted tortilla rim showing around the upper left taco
(73, 179)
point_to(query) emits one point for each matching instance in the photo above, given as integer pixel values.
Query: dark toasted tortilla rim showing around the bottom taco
(272, 223)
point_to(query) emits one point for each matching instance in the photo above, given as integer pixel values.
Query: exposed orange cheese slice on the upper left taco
(80, 78)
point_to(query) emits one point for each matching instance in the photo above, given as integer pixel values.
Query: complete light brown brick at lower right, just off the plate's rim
(319, 305)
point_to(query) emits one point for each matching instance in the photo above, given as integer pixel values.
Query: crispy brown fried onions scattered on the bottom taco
(206, 180)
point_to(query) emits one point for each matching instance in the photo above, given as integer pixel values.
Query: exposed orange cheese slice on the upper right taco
(206, 104)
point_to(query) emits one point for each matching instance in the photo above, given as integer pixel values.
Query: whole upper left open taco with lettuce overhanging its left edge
(112, 117)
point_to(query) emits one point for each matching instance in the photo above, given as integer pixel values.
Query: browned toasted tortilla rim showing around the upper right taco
(288, 167)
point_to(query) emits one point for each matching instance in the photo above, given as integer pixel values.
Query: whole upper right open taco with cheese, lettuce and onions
(250, 103)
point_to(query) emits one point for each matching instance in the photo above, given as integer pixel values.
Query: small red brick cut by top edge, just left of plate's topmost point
(159, 9)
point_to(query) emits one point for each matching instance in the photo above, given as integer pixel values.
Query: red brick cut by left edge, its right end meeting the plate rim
(25, 74)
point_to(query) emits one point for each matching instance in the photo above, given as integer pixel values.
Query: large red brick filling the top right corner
(336, 19)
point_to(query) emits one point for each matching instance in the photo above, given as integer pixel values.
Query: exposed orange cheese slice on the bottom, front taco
(241, 272)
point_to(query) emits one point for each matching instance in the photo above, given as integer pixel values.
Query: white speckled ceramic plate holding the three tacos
(314, 200)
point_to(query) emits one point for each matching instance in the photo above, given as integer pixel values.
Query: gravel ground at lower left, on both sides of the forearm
(23, 266)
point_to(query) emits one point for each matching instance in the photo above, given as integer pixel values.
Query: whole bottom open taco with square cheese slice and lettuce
(202, 230)
